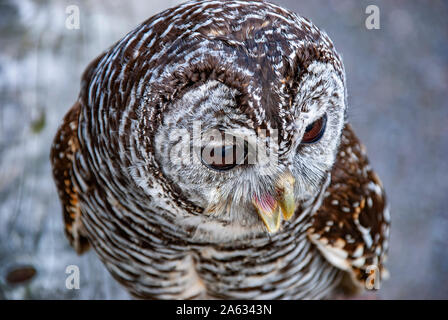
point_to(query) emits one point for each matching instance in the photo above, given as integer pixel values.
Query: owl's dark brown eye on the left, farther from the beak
(224, 158)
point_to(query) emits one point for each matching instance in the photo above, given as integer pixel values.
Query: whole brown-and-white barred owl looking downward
(209, 155)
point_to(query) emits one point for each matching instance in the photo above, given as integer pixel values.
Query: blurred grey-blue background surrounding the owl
(397, 84)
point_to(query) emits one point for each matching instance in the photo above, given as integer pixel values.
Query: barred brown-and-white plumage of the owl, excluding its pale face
(121, 198)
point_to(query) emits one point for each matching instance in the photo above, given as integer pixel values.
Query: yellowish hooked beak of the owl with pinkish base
(270, 208)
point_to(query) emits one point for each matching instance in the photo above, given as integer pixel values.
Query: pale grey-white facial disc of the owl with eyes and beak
(241, 174)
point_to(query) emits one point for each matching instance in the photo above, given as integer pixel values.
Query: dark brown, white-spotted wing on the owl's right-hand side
(352, 200)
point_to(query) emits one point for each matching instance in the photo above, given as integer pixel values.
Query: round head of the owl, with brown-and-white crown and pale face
(238, 109)
